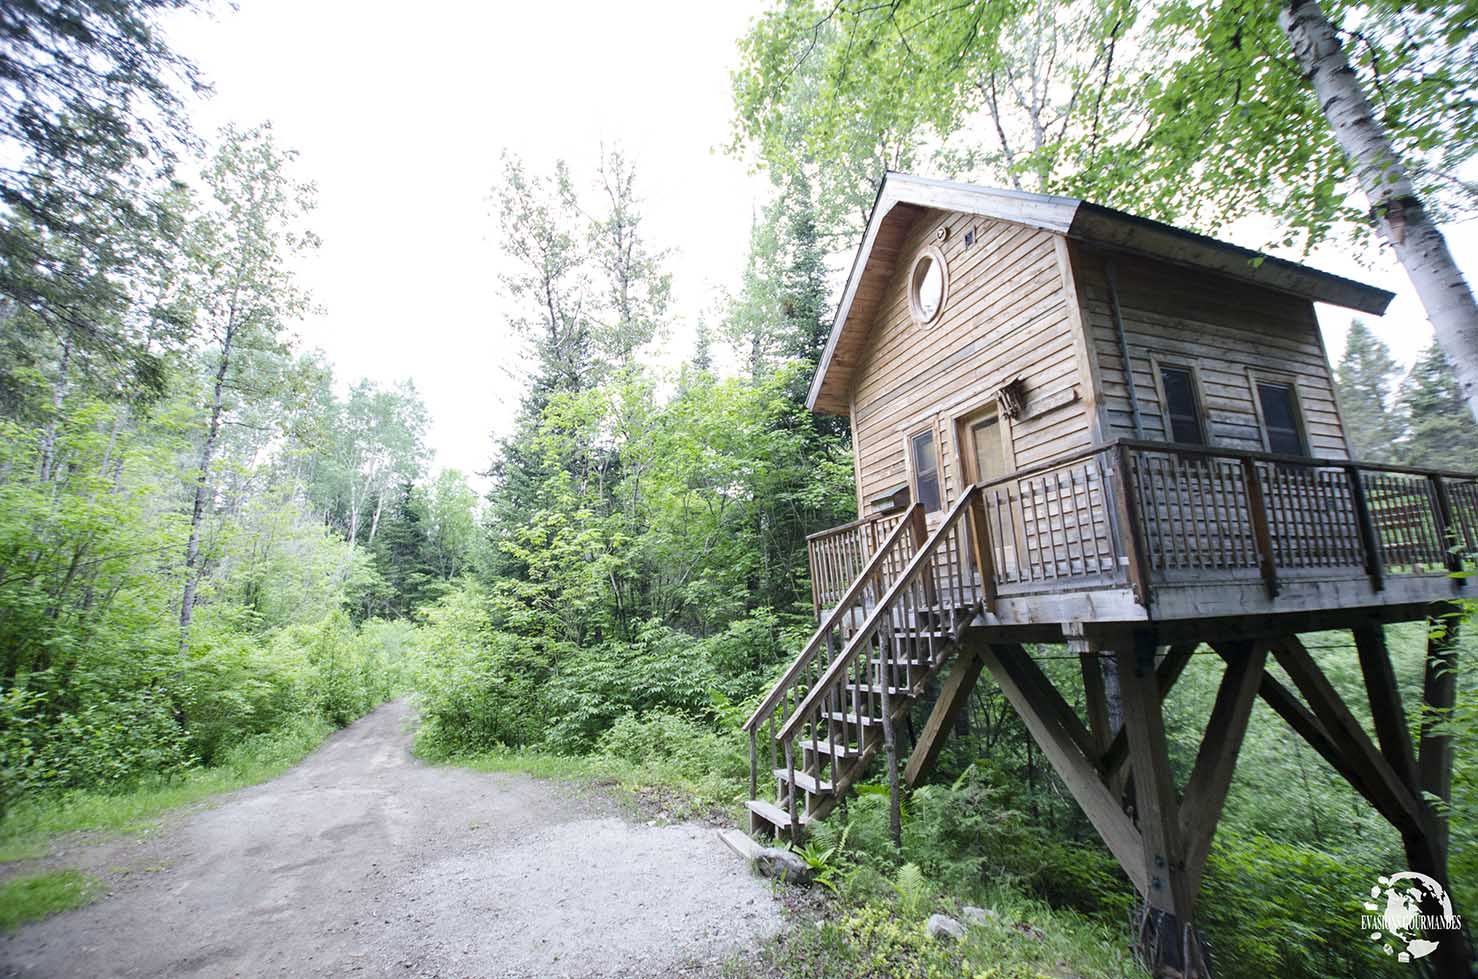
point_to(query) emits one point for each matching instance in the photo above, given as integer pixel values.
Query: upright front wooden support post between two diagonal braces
(1167, 938)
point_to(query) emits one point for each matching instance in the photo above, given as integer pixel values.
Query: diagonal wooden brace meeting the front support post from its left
(1066, 745)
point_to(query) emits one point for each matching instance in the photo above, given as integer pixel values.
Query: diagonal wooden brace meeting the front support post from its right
(1217, 759)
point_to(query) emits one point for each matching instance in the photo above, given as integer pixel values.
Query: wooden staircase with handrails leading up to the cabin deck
(874, 654)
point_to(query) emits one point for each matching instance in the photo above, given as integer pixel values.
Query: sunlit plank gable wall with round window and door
(1006, 317)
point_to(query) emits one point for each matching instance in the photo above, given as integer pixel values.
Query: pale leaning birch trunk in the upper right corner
(1396, 206)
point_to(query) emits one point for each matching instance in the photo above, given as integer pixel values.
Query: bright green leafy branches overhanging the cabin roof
(1183, 112)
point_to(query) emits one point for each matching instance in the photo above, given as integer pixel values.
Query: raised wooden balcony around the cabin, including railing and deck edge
(1136, 532)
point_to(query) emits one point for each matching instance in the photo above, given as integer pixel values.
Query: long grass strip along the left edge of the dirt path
(30, 826)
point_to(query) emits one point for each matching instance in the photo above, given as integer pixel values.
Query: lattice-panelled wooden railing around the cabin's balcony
(1146, 515)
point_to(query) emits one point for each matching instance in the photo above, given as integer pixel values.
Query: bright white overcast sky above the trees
(400, 115)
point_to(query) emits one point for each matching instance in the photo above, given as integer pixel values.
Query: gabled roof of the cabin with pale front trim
(904, 197)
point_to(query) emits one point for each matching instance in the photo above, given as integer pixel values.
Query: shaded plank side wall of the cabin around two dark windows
(1222, 329)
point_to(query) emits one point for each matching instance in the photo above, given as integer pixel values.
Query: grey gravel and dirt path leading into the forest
(364, 861)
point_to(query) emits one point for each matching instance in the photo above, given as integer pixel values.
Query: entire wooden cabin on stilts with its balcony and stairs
(1077, 427)
